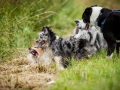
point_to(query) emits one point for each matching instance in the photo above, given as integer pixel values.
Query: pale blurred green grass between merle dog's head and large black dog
(64, 21)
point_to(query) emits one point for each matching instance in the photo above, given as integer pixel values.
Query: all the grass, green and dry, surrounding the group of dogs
(20, 22)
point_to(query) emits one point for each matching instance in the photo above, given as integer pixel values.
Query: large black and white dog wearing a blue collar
(109, 22)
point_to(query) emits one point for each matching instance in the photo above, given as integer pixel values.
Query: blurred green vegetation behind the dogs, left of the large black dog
(21, 20)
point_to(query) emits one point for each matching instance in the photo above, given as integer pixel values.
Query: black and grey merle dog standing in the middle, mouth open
(62, 48)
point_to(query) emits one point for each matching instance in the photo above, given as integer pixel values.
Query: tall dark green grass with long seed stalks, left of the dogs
(21, 20)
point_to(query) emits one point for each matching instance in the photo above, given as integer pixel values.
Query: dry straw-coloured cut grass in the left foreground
(17, 74)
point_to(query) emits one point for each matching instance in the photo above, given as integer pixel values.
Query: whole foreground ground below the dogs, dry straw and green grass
(95, 73)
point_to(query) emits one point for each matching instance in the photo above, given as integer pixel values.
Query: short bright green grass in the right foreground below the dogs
(97, 73)
